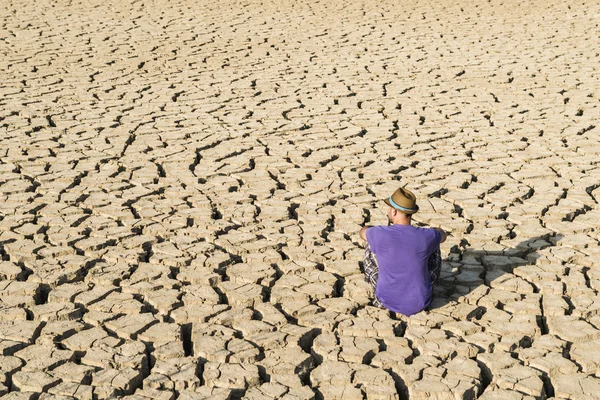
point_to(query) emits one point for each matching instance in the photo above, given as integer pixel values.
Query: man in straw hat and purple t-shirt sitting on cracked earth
(402, 262)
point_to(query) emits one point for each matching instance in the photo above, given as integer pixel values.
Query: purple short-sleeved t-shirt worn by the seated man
(402, 252)
